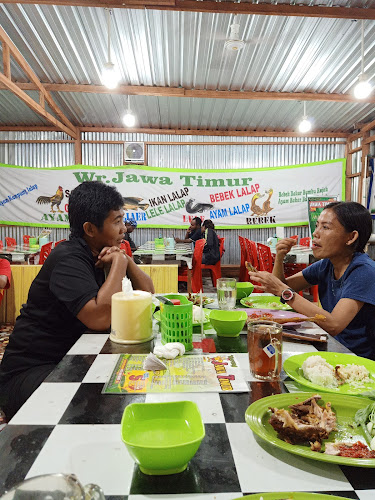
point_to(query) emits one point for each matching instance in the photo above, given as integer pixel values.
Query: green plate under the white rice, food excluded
(293, 367)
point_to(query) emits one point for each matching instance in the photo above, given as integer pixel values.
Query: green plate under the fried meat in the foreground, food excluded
(258, 414)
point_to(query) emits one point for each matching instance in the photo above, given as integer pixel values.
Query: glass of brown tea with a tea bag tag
(264, 345)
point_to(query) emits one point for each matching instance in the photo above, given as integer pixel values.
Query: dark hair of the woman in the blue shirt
(353, 217)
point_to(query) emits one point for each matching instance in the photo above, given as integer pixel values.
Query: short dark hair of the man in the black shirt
(91, 202)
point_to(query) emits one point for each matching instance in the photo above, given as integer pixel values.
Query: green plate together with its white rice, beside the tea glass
(332, 372)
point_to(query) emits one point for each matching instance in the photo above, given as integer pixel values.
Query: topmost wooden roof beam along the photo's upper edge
(228, 7)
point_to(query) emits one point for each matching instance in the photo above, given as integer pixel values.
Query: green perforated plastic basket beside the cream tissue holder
(176, 322)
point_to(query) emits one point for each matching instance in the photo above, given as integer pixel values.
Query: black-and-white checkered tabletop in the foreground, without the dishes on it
(69, 425)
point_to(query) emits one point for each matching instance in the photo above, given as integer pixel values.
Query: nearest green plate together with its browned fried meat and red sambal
(323, 427)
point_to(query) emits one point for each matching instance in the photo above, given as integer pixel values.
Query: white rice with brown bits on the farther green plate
(319, 372)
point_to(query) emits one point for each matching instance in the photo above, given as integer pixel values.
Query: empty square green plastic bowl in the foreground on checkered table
(162, 437)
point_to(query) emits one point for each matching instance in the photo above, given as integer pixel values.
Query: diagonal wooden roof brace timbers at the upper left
(44, 94)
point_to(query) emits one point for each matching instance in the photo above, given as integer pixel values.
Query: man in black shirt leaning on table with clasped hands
(69, 295)
